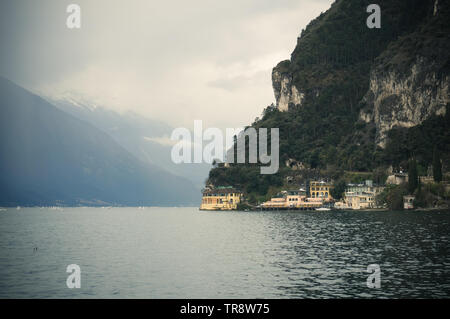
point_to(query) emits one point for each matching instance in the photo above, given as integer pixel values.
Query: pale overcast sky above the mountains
(175, 61)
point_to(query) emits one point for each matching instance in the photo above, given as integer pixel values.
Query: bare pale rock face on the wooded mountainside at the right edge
(398, 99)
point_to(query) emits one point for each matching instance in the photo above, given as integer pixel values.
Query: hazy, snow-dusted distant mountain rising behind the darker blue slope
(146, 139)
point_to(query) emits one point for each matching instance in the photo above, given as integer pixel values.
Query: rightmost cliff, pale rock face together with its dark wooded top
(409, 81)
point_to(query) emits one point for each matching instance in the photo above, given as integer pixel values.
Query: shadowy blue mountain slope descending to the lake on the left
(49, 157)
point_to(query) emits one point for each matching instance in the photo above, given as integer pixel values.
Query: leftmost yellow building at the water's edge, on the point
(221, 198)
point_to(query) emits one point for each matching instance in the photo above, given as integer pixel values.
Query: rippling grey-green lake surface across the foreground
(185, 253)
